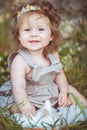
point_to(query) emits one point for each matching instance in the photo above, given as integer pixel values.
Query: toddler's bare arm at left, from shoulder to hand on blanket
(18, 72)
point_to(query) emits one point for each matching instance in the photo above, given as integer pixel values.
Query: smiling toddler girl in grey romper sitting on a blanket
(36, 72)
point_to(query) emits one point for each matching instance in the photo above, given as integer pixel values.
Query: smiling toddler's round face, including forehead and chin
(35, 32)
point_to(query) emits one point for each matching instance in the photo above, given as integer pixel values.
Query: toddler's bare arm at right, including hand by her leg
(63, 86)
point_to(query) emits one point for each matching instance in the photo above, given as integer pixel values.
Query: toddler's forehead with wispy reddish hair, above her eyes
(34, 19)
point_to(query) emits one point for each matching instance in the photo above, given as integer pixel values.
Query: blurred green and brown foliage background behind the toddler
(73, 50)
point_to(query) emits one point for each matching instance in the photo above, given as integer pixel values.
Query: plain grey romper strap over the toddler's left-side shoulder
(27, 58)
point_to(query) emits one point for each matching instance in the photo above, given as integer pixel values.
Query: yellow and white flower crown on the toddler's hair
(26, 9)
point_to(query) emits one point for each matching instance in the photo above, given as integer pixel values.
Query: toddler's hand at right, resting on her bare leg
(64, 99)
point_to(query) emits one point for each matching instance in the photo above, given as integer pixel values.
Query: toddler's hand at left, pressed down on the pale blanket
(28, 110)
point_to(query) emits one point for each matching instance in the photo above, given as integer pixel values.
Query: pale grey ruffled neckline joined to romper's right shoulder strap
(55, 67)
